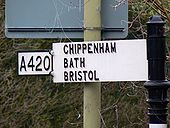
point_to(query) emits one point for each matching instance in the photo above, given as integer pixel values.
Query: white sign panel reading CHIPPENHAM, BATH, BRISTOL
(99, 61)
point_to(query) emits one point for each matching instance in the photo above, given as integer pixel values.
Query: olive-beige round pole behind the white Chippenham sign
(92, 91)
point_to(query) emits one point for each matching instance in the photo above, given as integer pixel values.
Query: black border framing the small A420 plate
(27, 51)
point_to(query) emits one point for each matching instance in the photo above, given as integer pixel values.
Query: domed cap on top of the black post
(157, 19)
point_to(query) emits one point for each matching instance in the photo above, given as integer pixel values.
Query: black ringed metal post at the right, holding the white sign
(157, 85)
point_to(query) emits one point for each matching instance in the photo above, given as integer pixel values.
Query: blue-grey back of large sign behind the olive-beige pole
(62, 18)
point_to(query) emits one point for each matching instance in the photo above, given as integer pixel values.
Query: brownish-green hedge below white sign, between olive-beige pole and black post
(124, 105)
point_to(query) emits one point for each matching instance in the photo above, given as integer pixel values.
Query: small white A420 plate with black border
(34, 62)
